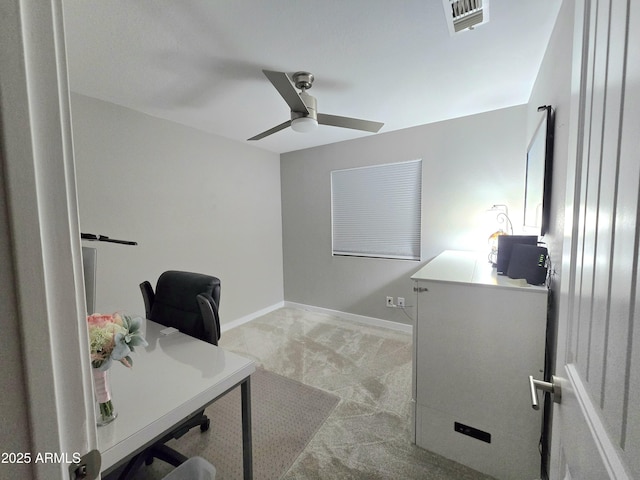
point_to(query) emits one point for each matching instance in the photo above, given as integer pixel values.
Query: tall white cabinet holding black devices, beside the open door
(477, 338)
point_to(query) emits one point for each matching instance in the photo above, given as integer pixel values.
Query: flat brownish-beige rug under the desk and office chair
(285, 416)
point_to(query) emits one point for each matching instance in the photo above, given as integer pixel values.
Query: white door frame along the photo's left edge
(39, 196)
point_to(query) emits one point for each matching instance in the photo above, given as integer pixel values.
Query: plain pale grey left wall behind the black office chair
(191, 200)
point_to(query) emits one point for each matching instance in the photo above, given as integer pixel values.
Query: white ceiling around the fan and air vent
(199, 62)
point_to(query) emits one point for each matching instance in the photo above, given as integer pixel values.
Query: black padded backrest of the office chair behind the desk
(175, 304)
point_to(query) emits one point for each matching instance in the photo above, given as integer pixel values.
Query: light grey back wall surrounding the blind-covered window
(469, 164)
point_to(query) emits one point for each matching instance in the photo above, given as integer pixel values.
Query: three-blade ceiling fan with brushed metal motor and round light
(304, 114)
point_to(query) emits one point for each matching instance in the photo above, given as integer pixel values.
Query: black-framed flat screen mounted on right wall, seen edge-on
(537, 191)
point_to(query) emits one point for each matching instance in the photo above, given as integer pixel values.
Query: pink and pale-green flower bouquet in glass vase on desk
(112, 338)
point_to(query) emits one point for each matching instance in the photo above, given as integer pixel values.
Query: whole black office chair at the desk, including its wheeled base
(189, 302)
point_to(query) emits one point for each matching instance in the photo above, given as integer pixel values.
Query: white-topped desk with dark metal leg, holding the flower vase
(174, 377)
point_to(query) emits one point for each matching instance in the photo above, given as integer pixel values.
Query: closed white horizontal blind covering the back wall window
(376, 210)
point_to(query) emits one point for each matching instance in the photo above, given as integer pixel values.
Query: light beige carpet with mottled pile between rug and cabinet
(368, 435)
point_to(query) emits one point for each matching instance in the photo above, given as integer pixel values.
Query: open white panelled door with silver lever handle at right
(596, 428)
